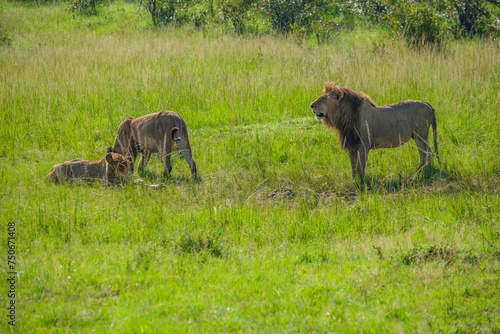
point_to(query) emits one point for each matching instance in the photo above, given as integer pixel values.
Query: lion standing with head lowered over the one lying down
(153, 133)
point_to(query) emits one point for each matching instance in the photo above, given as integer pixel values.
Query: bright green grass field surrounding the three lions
(274, 236)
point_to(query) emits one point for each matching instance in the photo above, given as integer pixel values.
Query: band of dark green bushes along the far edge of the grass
(419, 22)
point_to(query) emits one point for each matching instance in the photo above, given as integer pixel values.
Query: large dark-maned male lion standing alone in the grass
(362, 126)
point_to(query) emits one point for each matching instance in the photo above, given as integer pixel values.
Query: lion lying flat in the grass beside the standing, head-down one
(113, 168)
